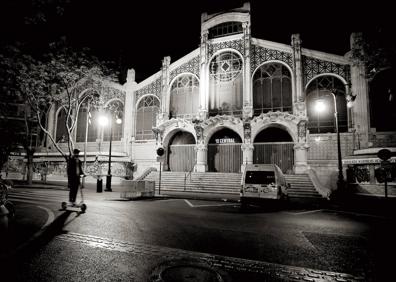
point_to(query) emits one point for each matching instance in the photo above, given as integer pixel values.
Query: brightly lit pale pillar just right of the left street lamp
(129, 112)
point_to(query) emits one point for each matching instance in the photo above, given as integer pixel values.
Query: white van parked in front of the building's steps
(262, 181)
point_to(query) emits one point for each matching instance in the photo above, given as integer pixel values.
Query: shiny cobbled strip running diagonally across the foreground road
(267, 269)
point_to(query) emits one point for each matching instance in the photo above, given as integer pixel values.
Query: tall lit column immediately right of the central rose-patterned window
(247, 88)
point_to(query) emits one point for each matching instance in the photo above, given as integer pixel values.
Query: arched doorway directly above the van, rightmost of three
(274, 145)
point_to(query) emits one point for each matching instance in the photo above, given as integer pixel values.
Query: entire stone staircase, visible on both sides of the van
(301, 186)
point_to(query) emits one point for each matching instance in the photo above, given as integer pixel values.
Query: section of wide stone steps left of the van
(200, 182)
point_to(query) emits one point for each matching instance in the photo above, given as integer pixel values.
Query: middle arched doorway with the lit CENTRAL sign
(224, 151)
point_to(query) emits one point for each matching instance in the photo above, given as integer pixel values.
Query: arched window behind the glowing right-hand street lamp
(321, 89)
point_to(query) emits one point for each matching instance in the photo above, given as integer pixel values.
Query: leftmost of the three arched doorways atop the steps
(181, 153)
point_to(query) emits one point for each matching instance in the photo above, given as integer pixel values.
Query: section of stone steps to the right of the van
(301, 187)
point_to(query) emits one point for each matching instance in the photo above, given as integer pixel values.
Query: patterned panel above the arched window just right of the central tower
(261, 55)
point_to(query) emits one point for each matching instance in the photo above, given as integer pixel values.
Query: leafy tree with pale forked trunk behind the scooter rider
(52, 81)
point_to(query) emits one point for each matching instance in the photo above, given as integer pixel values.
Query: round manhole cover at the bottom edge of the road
(178, 271)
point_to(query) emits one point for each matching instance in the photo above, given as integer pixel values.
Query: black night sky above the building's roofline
(139, 34)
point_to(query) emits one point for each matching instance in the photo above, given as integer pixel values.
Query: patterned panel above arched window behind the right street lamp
(313, 67)
